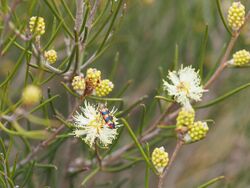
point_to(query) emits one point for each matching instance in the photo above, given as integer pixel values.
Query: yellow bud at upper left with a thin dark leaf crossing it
(39, 24)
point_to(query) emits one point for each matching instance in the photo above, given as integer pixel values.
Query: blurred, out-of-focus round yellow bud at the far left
(31, 95)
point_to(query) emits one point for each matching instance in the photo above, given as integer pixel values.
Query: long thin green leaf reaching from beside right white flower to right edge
(223, 97)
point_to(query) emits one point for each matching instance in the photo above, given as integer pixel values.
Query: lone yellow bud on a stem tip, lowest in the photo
(160, 159)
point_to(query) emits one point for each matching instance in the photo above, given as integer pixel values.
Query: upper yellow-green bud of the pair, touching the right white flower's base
(185, 118)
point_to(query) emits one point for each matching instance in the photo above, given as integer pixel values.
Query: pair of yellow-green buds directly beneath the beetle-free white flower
(190, 130)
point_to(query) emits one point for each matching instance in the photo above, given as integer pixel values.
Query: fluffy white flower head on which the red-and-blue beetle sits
(91, 126)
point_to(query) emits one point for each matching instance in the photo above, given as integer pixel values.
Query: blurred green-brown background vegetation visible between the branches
(146, 42)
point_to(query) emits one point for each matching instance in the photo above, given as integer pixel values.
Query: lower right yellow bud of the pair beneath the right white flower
(196, 132)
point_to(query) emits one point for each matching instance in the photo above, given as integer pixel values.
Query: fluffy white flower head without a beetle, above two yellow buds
(184, 85)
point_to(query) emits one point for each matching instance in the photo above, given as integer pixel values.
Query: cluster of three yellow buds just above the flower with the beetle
(93, 84)
